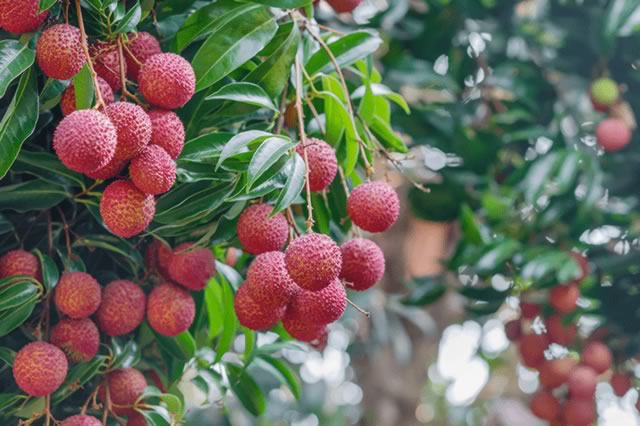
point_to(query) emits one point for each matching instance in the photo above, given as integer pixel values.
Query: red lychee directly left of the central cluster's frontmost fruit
(269, 282)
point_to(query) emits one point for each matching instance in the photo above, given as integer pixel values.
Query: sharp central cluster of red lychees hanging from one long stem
(305, 285)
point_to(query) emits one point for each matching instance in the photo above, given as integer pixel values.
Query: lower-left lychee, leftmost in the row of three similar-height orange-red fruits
(78, 295)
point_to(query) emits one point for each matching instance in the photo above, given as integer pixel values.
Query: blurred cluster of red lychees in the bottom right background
(568, 382)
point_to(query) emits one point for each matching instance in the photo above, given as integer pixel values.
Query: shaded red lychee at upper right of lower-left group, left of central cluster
(192, 268)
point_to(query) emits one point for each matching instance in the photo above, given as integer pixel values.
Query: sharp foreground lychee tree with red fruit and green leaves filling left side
(152, 154)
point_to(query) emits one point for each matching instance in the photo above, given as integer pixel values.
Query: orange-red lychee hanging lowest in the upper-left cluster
(125, 210)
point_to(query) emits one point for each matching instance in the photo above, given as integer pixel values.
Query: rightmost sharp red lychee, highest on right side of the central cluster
(373, 206)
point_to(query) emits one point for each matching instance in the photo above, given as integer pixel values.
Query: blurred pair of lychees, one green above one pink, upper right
(612, 133)
